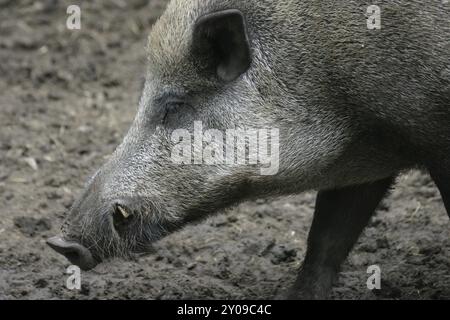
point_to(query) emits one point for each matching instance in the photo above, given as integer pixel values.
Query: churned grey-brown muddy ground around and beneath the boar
(66, 100)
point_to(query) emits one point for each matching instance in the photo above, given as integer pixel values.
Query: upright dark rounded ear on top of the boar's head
(221, 40)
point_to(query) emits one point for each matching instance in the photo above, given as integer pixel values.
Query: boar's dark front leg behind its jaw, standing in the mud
(339, 219)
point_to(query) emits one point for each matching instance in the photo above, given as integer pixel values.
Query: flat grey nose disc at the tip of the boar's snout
(74, 252)
